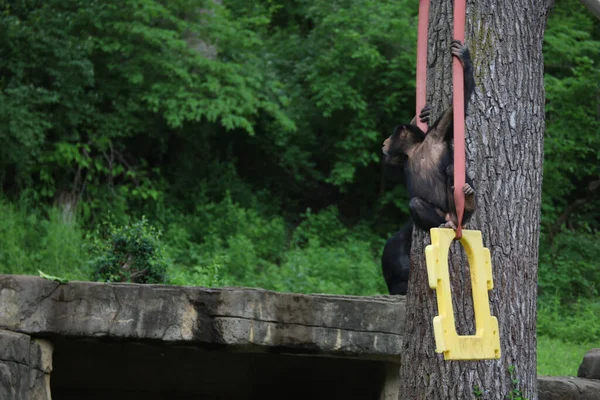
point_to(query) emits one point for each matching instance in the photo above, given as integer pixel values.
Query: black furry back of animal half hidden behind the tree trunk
(395, 261)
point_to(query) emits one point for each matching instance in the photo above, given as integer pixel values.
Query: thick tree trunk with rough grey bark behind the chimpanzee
(505, 128)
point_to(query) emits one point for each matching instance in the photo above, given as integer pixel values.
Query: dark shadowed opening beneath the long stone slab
(101, 369)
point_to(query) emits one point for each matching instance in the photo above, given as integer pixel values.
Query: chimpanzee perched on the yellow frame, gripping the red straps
(429, 164)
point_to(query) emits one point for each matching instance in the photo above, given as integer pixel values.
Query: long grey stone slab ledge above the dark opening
(240, 318)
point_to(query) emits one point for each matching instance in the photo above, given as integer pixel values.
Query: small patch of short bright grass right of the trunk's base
(558, 358)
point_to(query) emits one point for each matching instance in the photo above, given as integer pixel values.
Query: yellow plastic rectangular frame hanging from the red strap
(485, 344)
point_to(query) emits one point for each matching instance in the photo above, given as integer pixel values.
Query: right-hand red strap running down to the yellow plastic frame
(460, 9)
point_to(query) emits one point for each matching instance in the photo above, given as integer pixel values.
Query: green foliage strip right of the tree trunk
(569, 250)
